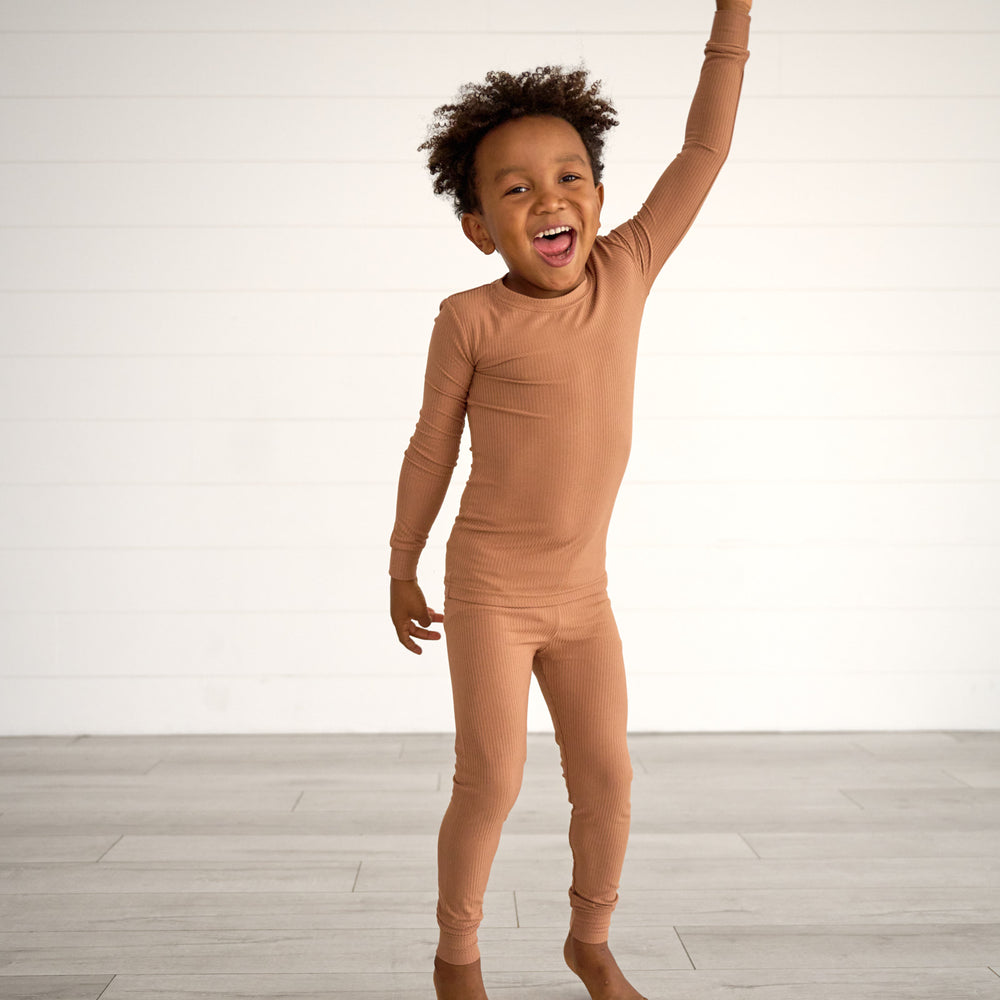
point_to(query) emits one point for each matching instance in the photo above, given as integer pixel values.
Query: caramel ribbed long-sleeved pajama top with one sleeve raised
(547, 386)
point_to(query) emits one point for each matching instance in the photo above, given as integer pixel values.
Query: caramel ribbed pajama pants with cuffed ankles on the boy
(575, 653)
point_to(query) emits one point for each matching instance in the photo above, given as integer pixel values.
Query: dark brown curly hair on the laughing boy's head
(457, 129)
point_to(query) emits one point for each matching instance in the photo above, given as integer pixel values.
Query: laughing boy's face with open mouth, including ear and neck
(533, 176)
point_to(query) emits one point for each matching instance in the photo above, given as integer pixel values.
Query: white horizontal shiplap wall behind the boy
(219, 265)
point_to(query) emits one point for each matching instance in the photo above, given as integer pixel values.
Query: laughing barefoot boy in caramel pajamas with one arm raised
(542, 362)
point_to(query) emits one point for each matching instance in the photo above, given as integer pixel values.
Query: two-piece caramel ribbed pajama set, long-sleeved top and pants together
(546, 385)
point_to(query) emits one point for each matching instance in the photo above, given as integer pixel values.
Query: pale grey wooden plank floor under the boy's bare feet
(772, 867)
